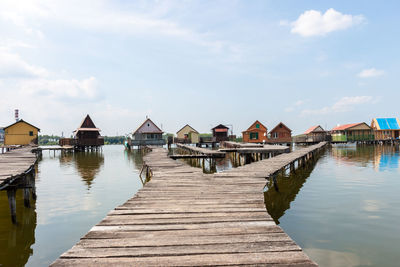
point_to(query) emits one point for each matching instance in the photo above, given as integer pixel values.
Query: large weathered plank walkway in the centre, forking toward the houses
(183, 217)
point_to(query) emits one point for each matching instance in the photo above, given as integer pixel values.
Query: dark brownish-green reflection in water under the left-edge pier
(16, 240)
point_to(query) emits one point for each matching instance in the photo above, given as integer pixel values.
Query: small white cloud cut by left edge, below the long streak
(13, 66)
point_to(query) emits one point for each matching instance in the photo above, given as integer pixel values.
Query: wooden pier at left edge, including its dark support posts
(17, 171)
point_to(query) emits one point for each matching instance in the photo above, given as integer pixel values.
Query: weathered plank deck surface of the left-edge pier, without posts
(15, 164)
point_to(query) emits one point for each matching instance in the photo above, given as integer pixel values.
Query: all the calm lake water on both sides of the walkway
(343, 210)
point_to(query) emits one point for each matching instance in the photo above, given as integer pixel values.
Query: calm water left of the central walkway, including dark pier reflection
(74, 192)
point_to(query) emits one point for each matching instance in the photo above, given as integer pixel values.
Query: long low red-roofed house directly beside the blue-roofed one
(352, 133)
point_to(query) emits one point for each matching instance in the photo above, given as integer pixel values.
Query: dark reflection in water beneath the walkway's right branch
(278, 201)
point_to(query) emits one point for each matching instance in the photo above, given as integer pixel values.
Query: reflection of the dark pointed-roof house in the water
(88, 164)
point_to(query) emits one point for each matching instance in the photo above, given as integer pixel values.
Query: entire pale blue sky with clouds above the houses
(200, 63)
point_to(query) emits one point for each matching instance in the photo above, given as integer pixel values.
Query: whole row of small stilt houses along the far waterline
(148, 133)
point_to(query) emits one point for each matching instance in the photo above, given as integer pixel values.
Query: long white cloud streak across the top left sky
(104, 16)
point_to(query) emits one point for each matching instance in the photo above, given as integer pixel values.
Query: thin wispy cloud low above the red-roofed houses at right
(344, 104)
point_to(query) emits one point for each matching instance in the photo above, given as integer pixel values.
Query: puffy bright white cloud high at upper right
(313, 22)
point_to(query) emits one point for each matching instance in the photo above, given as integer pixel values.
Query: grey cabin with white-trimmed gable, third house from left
(147, 134)
